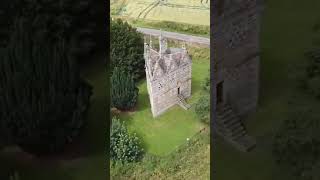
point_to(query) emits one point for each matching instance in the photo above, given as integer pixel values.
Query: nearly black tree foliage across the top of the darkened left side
(73, 20)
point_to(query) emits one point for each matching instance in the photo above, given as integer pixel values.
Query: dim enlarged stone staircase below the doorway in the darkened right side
(231, 128)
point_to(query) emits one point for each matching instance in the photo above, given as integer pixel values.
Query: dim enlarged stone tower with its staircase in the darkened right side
(236, 69)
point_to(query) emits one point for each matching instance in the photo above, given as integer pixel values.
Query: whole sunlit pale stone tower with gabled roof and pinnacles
(168, 74)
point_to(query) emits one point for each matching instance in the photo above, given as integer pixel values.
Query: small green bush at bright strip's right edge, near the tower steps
(202, 108)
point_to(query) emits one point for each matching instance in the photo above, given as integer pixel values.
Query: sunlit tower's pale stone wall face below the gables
(163, 92)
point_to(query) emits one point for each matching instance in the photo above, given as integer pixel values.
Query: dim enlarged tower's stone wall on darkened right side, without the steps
(236, 55)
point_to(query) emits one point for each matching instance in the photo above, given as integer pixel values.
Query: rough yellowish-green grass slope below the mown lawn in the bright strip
(190, 161)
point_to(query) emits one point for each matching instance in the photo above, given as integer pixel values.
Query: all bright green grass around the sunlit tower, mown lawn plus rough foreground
(168, 154)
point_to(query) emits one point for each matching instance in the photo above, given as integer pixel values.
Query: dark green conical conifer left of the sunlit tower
(124, 93)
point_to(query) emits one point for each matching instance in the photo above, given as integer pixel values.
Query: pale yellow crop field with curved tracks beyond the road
(183, 11)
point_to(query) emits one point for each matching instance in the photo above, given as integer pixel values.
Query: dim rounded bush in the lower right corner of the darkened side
(297, 145)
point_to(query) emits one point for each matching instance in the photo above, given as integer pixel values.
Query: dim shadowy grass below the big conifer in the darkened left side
(83, 161)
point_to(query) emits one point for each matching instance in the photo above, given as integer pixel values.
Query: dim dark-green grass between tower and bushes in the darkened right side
(286, 34)
